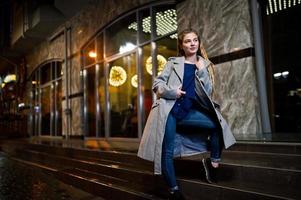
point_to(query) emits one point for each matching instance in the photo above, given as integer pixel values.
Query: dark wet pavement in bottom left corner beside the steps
(19, 182)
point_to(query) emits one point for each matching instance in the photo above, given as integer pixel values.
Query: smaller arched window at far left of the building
(47, 114)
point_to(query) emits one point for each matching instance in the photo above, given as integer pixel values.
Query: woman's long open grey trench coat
(165, 86)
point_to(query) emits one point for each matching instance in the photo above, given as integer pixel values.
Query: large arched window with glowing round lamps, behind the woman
(118, 97)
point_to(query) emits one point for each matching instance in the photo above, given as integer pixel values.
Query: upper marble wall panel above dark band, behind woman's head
(224, 25)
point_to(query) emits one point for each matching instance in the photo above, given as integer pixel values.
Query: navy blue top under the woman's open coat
(183, 104)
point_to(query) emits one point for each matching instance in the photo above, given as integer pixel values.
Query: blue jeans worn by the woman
(196, 119)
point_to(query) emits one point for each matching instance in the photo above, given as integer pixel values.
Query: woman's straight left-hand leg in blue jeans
(167, 164)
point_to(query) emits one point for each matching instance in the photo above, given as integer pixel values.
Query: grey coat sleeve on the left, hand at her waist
(160, 85)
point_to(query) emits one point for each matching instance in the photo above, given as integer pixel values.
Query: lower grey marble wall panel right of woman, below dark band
(236, 91)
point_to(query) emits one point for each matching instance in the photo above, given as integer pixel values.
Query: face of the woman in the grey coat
(190, 44)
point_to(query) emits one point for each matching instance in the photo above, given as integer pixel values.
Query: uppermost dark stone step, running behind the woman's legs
(258, 159)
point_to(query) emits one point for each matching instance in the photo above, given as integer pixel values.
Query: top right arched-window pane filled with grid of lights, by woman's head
(166, 20)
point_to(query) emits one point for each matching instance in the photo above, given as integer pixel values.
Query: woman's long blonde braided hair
(201, 51)
